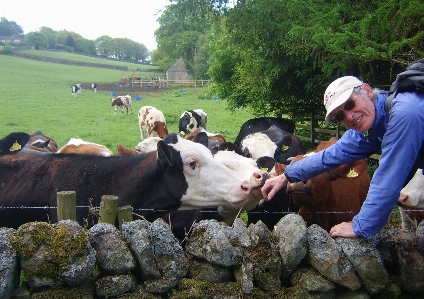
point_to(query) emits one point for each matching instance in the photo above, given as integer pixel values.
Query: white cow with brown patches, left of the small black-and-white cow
(152, 122)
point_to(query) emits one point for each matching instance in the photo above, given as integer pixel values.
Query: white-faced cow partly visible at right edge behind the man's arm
(411, 201)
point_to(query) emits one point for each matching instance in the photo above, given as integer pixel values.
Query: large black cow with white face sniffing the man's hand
(181, 174)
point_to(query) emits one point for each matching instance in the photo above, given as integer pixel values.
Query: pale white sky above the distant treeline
(132, 19)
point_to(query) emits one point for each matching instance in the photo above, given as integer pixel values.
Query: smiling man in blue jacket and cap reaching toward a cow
(399, 136)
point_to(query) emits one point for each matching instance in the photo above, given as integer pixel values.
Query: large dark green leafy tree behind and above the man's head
(278, 56)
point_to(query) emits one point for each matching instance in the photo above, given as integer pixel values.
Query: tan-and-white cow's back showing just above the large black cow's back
(79, 146)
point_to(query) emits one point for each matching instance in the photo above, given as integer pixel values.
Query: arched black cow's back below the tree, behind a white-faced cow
(261, 124)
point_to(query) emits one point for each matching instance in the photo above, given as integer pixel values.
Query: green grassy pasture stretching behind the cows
(36, 95)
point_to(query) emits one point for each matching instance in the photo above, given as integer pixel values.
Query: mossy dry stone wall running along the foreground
(145, 260)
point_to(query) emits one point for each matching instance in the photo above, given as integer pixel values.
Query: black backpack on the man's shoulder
(412, 79)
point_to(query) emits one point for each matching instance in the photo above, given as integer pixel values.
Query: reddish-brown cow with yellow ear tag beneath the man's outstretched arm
(334, 196)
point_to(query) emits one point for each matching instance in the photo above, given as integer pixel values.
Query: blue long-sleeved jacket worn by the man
(400, 138)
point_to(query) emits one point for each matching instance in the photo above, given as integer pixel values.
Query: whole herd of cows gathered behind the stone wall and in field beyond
(184, 177)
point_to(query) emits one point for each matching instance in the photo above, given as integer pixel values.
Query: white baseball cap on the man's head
(339, 92)
